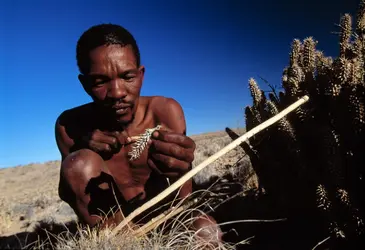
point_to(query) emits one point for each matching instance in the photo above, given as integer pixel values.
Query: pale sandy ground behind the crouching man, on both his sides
(29, 193)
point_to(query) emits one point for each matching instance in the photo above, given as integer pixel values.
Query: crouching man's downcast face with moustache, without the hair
(114, 81)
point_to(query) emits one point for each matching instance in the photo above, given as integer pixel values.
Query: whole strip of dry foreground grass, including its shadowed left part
(176, 233)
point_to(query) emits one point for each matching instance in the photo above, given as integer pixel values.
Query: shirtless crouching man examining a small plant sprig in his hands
(94, 139)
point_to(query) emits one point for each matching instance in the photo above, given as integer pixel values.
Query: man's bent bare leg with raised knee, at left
(87, 186)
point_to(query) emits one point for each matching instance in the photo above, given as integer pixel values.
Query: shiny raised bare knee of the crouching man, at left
(77, 169)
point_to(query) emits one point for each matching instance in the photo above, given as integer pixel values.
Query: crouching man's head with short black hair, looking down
(110, 72)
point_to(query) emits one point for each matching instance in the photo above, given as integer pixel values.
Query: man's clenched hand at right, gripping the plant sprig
(171, 154)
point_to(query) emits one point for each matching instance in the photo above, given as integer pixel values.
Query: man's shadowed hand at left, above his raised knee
(104, 141)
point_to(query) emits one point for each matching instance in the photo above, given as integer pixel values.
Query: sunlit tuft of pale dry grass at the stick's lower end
(180, 237)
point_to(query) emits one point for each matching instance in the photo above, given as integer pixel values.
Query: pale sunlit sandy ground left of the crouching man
(29, 194)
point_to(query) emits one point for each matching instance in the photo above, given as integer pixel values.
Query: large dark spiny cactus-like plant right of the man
(313, 159)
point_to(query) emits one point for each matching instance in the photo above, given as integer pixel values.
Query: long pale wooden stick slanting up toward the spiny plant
(208, 161)
